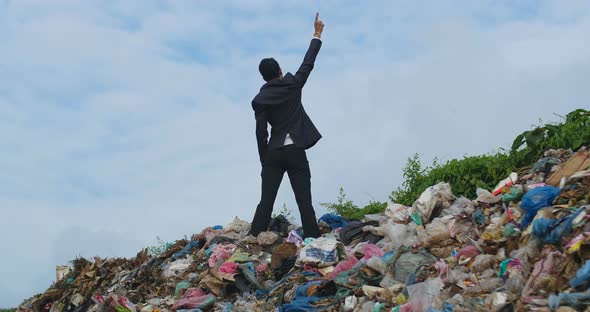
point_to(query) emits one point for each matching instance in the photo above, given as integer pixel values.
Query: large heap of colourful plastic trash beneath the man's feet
(524, 246)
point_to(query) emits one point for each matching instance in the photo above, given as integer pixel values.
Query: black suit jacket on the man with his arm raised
(279, 104)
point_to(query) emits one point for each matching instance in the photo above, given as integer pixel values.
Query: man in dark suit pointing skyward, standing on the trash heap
(292, 132)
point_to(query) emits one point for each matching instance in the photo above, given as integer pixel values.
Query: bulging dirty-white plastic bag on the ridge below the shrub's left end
(433, 200)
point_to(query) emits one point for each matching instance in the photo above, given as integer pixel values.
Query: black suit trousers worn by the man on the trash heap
(293, 160)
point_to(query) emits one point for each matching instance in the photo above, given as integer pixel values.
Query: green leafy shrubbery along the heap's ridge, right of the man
(467, 174)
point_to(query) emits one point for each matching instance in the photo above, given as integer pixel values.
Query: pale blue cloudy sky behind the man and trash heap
(123, 121)
